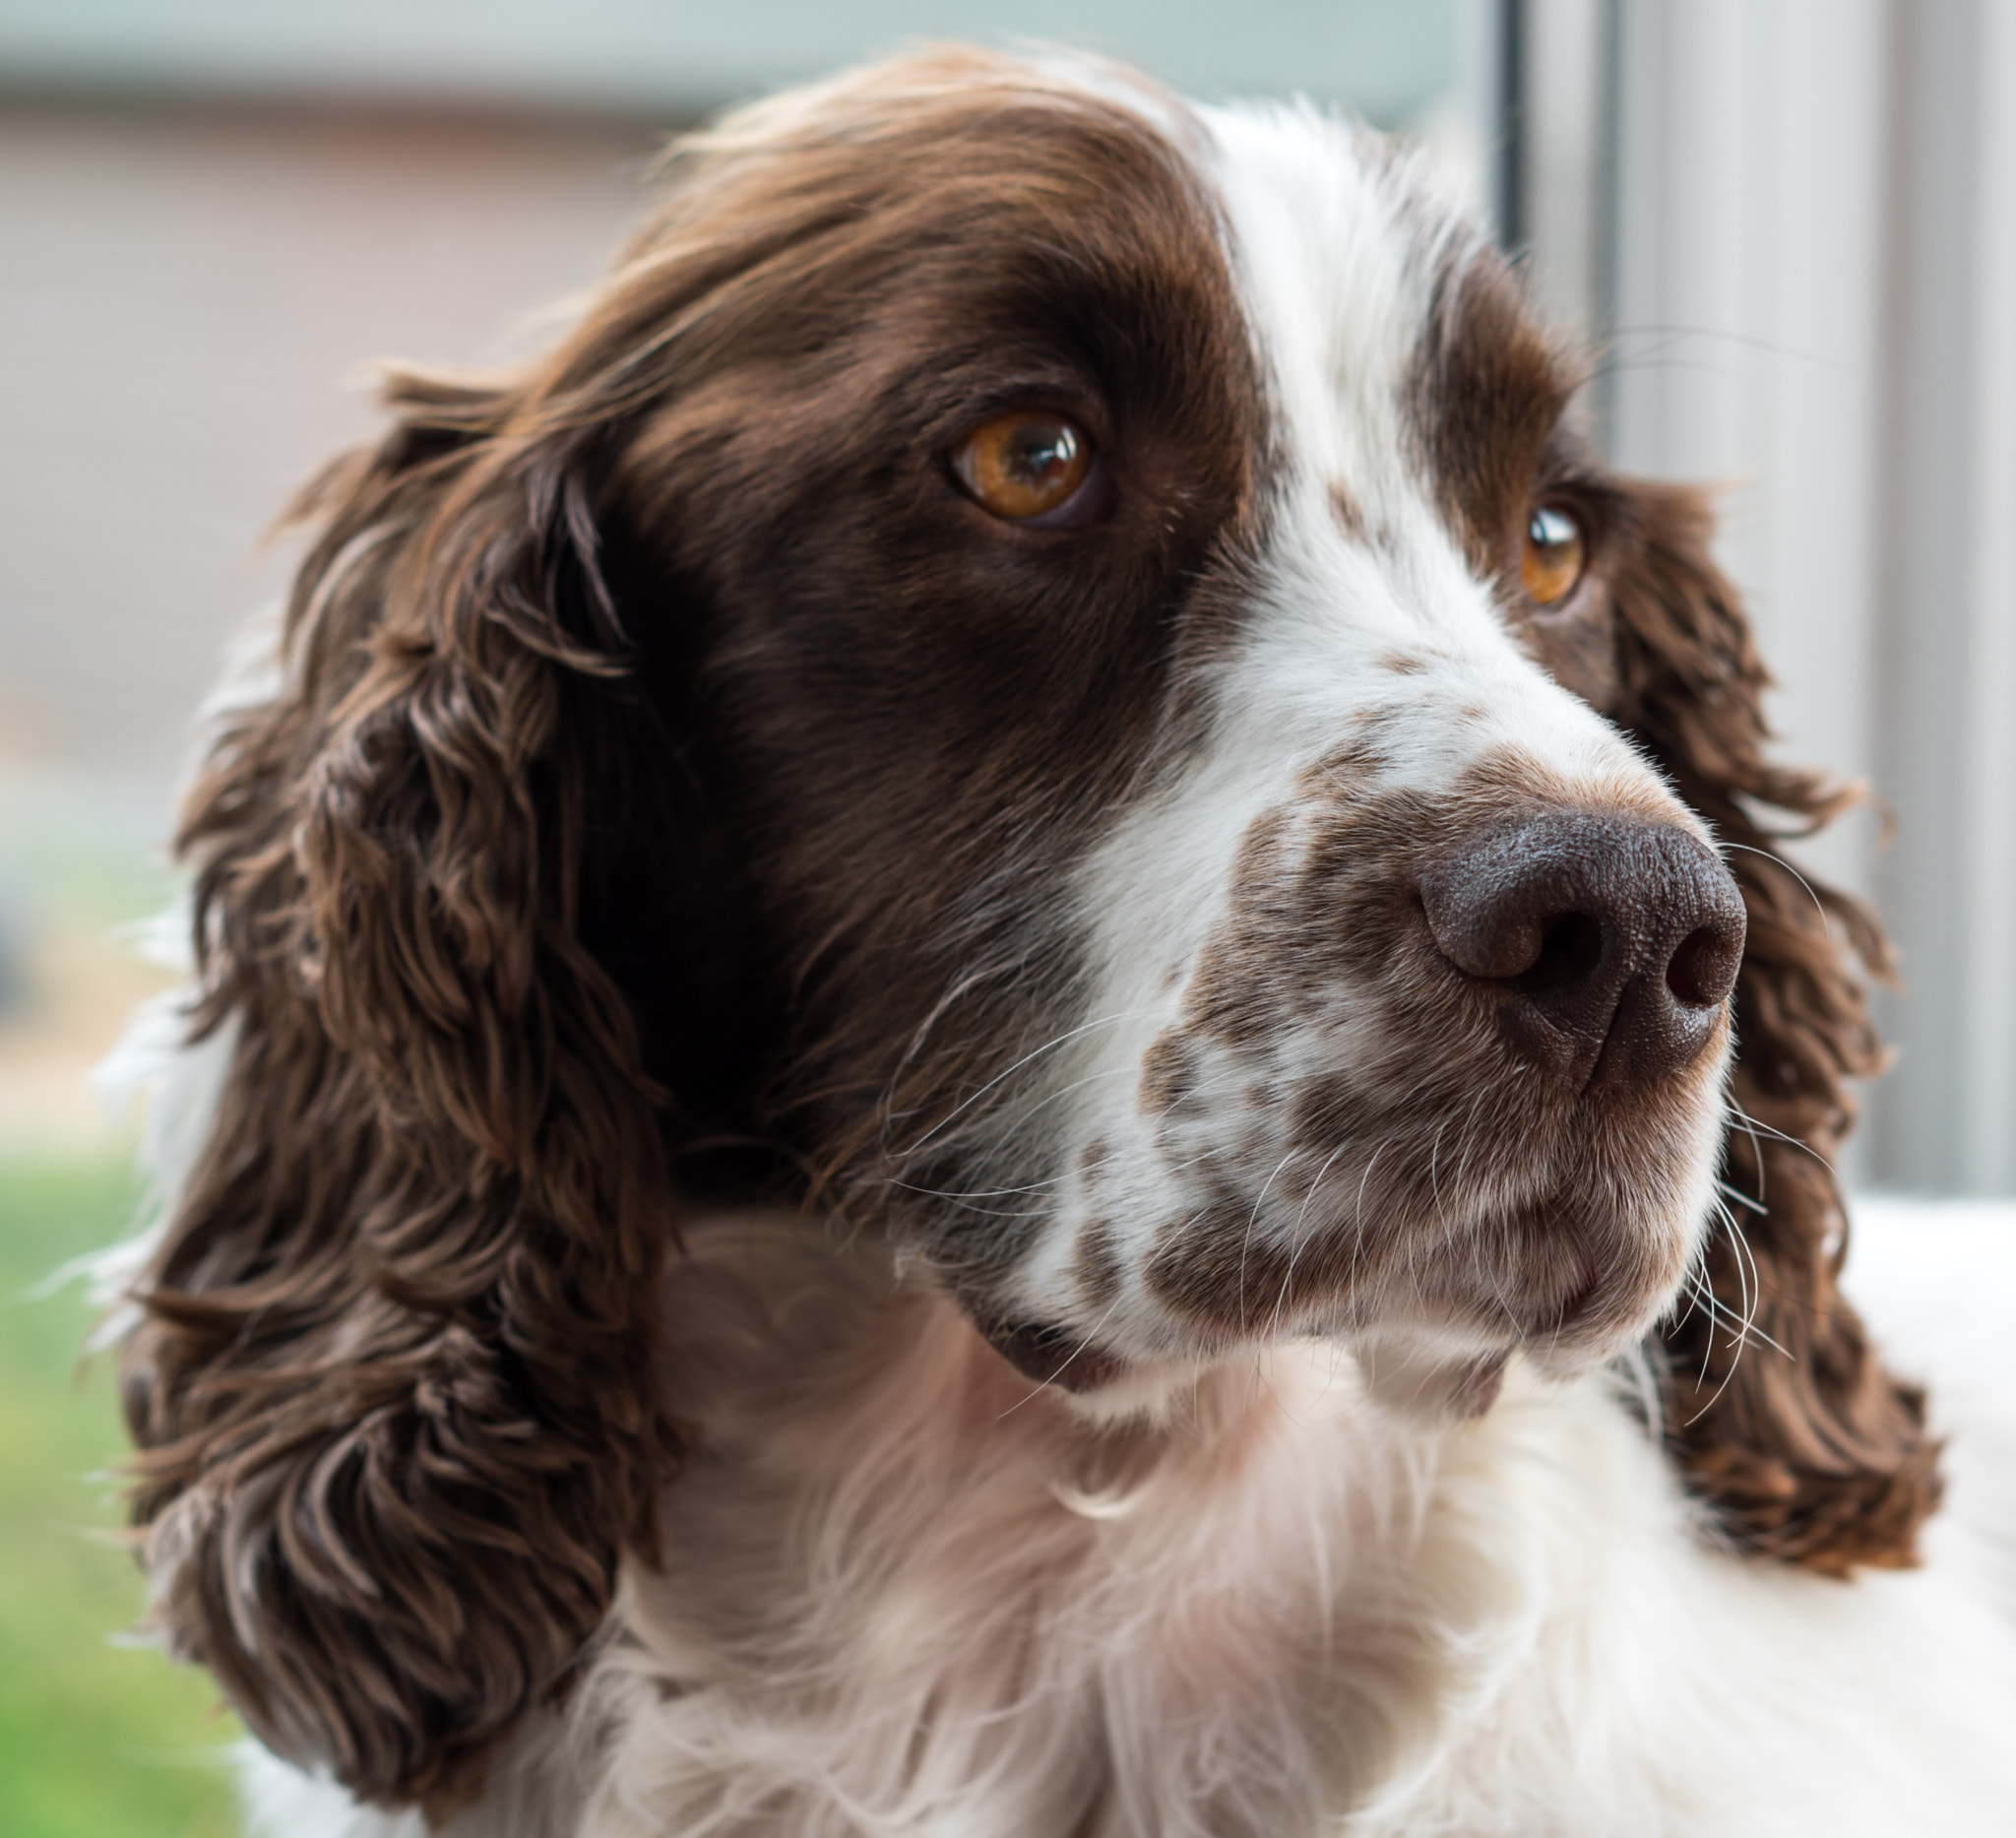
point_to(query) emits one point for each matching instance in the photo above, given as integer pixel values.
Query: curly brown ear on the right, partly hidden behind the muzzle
(1801, 1442)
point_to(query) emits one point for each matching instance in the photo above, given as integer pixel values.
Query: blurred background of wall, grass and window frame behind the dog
(1785, 229)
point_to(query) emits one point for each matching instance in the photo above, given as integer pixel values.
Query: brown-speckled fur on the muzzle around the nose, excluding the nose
(1317, 993)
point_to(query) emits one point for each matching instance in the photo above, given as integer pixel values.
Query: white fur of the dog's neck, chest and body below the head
(904, 1595)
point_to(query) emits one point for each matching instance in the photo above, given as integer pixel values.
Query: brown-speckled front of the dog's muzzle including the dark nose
(1434, 1111)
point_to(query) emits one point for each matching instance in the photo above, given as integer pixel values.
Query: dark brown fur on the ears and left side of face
(668, 763)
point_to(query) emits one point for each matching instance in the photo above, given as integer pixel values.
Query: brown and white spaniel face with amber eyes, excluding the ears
(1156, 614)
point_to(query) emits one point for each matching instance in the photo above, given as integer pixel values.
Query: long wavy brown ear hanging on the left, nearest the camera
(392, 1373)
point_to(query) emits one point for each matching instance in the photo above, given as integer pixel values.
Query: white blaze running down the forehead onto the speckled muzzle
(1370, 662)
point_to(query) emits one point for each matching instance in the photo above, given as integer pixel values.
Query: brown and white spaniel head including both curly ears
(1043, 672)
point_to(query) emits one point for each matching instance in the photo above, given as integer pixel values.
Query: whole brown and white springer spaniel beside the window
(995, 1039)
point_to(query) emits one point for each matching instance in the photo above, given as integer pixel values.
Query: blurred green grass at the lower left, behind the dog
(96, 1740)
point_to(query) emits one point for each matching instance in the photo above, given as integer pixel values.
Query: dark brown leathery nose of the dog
(1612, 942)
